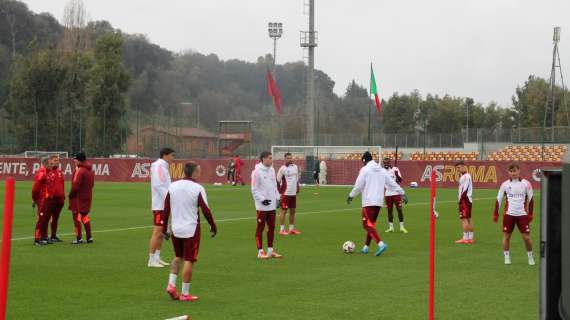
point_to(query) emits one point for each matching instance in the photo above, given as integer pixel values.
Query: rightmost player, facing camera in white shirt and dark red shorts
(518, 211)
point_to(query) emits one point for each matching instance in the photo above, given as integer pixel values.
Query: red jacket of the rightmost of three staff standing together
(82, 185)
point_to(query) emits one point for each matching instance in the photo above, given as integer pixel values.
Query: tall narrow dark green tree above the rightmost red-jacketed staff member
(108, 85)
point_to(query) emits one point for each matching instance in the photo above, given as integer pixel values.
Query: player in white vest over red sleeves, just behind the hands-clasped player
(288, 182)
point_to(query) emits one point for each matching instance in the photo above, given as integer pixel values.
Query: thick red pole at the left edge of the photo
(6, 244)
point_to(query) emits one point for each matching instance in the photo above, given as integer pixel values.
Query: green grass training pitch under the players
(316, 280)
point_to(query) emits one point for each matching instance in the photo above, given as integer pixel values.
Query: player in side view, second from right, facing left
(465, 203)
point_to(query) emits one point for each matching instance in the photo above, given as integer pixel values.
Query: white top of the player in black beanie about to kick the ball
(372, 182)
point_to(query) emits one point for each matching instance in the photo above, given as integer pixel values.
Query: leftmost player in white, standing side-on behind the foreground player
(159, 183)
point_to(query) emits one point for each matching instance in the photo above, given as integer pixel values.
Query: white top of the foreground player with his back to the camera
(186, 196)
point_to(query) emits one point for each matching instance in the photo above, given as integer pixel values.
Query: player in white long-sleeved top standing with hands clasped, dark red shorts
(266, 198)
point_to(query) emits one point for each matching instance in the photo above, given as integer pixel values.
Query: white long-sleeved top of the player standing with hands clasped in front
(264, 187)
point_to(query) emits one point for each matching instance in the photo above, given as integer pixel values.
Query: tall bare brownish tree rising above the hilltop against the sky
(75, 20)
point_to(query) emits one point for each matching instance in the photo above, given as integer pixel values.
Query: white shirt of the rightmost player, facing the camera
(518, 192)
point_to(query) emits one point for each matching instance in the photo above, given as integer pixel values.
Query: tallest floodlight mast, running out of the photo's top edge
(309, 41)
